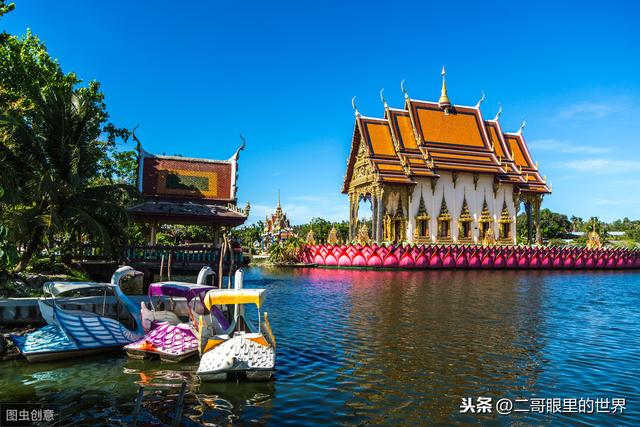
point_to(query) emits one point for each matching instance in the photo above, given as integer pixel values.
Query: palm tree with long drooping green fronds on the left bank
(52, 154)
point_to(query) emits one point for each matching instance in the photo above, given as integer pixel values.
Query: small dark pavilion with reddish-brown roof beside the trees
(190, 191)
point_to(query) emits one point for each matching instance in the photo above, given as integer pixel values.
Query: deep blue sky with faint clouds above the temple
(195, 75)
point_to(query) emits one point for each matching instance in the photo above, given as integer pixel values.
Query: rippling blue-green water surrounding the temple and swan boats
(386, 348)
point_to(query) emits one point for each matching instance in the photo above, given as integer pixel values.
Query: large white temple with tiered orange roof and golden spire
(435, 172)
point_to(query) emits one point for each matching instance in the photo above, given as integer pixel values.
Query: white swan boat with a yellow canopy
(241, 348)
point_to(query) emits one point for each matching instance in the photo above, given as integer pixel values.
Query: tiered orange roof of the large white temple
(422, 138)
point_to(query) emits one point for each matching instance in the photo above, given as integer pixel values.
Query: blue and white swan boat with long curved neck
(79, 332)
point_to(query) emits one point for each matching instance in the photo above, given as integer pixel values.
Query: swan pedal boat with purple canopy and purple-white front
(166, 335)
